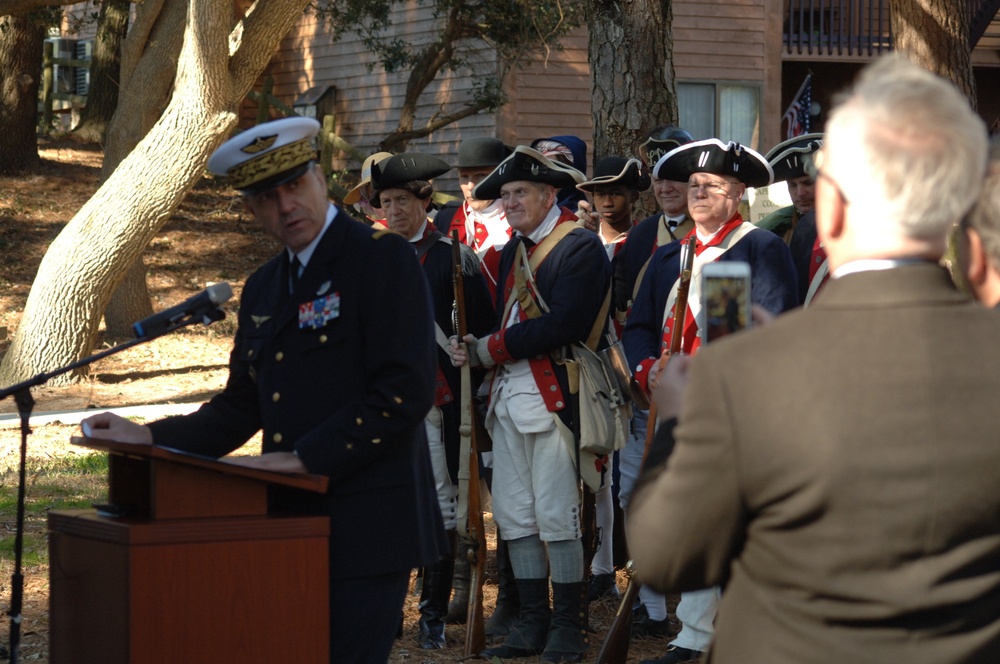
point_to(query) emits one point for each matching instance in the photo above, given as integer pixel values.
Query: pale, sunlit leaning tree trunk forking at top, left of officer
(89, 257)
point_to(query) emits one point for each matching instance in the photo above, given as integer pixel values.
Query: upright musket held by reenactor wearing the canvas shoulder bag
(470, 511)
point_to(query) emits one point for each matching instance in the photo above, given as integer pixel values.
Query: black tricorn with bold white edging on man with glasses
(713, 156)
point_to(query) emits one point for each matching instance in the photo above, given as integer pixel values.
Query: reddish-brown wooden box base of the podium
(238, 589)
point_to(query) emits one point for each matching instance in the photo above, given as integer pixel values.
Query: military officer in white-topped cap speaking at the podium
(334, 360)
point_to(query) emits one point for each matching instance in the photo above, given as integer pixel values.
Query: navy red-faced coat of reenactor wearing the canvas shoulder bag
(573, 280)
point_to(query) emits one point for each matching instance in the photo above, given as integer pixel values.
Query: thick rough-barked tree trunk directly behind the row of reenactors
(631, 48)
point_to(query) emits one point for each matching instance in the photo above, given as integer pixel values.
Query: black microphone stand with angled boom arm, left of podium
(25, 403)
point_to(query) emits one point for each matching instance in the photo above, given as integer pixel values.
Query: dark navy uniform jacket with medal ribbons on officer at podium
(347, 390)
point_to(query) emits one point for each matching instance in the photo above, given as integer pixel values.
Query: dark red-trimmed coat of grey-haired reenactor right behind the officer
(479, 320)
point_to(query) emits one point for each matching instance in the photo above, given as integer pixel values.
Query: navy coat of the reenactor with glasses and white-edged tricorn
(772, 286)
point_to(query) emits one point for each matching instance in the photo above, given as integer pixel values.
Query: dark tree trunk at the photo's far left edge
(20, 78)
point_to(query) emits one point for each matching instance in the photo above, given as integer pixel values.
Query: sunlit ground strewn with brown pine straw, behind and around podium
(209, 239)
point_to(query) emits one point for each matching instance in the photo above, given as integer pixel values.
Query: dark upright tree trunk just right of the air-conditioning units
(102, 98)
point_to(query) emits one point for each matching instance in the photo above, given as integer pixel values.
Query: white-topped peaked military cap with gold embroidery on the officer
(259, 154)
